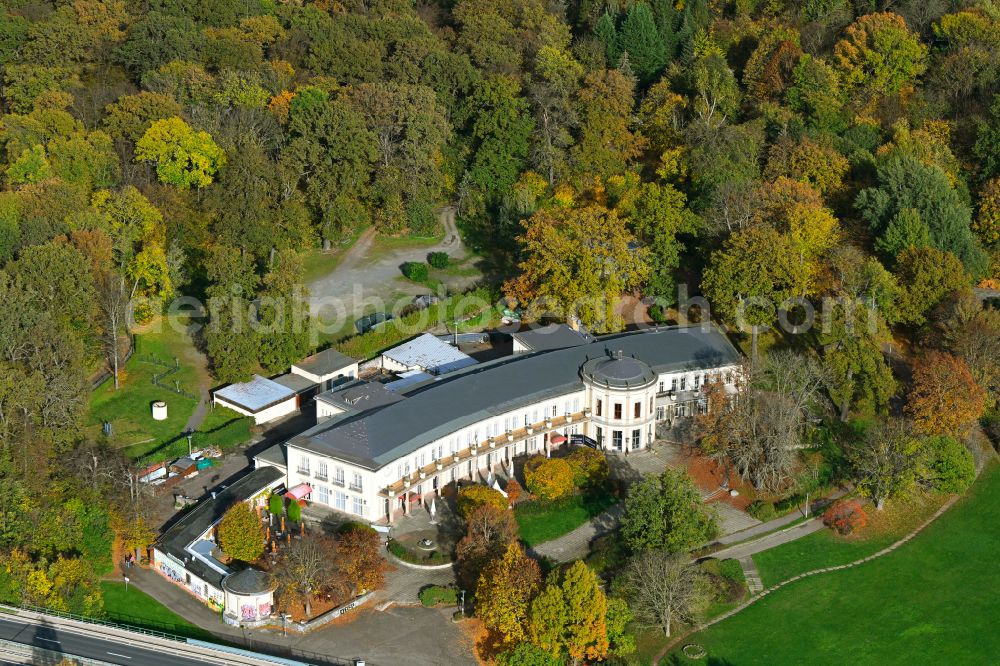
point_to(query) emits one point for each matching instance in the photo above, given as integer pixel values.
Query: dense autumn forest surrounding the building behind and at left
(754, 150)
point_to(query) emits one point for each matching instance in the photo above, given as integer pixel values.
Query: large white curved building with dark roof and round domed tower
(377, 455)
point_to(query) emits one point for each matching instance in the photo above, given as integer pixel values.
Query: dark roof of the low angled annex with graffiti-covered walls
(207, 513)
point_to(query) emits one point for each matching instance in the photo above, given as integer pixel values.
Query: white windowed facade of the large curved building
(620, 419)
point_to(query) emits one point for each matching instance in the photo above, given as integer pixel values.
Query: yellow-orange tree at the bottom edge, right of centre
(569, 616)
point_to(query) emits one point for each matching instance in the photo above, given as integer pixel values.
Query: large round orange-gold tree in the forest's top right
(878, 56)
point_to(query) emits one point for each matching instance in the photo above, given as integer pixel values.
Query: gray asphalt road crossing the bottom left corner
(81, 645)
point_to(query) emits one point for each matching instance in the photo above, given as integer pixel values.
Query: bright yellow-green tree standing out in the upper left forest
(183, 156)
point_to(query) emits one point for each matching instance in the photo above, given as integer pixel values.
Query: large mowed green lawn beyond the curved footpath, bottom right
(932, 601)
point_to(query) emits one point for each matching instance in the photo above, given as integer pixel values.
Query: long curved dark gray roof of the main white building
(439, 408)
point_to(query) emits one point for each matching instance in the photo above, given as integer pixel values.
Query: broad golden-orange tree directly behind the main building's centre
(579, 261)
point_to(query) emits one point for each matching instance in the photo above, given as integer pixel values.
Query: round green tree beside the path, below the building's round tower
(666, 512)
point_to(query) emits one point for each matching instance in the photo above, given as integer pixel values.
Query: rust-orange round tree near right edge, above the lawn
(945, 398)
